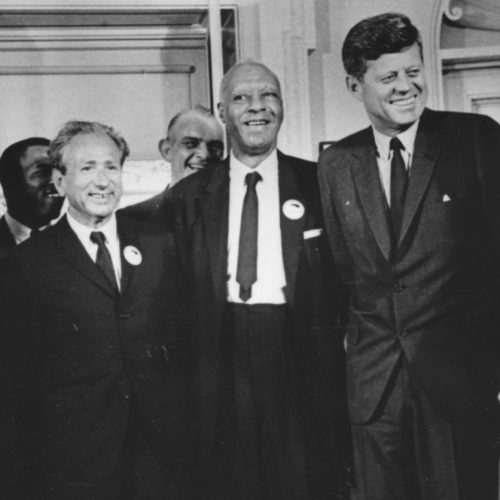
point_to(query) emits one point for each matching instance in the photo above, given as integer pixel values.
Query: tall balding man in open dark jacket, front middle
(269, 367)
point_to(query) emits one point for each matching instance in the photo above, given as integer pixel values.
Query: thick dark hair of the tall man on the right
(374, 36)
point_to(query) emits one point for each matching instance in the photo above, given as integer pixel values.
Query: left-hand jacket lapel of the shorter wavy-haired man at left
(77, 257)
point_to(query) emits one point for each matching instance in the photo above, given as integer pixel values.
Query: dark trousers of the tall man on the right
(410, 452)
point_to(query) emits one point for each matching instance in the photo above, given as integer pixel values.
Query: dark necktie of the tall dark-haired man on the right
(399, 184)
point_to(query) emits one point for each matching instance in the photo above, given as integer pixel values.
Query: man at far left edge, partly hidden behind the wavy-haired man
(32, 203)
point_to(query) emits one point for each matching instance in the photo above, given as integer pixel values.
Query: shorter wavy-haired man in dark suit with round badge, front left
(91, 343)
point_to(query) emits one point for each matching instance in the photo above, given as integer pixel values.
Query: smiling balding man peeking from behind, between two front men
(194, 140)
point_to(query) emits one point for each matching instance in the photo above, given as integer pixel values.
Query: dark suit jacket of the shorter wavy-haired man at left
(88, 365)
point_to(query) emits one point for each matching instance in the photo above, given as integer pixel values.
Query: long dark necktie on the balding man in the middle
(246, 273)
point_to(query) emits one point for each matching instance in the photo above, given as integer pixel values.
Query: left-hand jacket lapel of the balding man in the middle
(215, 213)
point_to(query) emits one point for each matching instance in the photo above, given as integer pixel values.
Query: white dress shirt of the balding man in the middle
(269, 287)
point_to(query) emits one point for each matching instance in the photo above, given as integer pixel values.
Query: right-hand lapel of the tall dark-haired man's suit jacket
(424, 160)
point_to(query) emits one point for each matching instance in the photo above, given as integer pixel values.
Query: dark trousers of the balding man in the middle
(265, 446)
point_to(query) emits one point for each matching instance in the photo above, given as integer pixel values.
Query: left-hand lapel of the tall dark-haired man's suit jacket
(367, 181)
